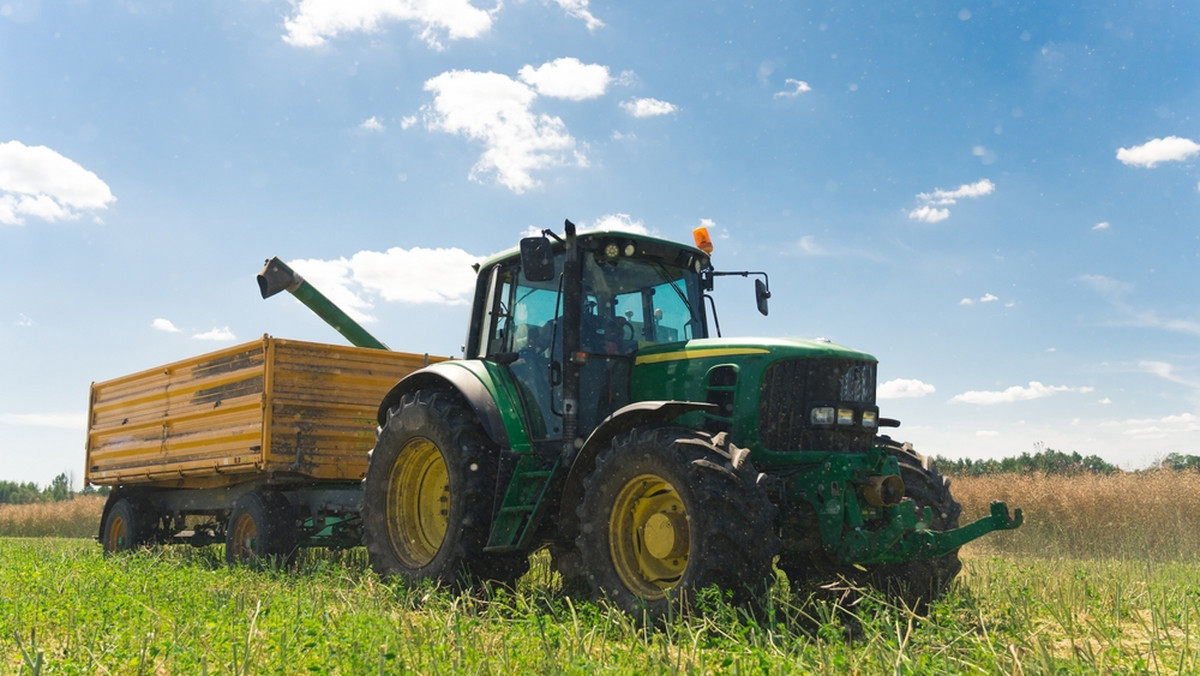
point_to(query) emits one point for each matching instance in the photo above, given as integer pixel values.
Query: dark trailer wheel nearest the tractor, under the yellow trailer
(262, 530)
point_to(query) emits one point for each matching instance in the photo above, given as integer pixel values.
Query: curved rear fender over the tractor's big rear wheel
(485, 388)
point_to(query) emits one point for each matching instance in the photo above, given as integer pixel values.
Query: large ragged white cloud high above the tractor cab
(496, 111)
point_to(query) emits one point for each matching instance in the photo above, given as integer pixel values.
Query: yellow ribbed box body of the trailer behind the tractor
(271, 406)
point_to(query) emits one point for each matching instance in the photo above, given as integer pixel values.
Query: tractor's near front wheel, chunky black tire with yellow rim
(700, 495)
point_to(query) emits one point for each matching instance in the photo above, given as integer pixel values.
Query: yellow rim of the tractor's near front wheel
(650, 537)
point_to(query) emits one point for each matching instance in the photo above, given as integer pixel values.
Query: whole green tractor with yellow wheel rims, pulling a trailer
(597, 415)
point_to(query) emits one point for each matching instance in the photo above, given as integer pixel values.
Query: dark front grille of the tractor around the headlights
(790, 390)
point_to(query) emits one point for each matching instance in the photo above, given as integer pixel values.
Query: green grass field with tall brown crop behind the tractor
(1102, 579)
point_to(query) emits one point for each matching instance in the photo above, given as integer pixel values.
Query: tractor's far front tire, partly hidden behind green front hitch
(923, 581)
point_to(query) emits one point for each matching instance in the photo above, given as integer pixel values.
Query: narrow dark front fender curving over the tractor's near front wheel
(639, 415)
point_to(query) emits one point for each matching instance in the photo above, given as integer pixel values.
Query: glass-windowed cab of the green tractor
(544, 314)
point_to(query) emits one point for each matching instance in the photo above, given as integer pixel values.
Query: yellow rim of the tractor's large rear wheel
(418, 502)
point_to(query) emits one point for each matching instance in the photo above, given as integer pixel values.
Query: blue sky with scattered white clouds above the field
(998, 200)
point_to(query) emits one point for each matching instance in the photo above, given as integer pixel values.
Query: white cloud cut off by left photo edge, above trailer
(37, 182)
